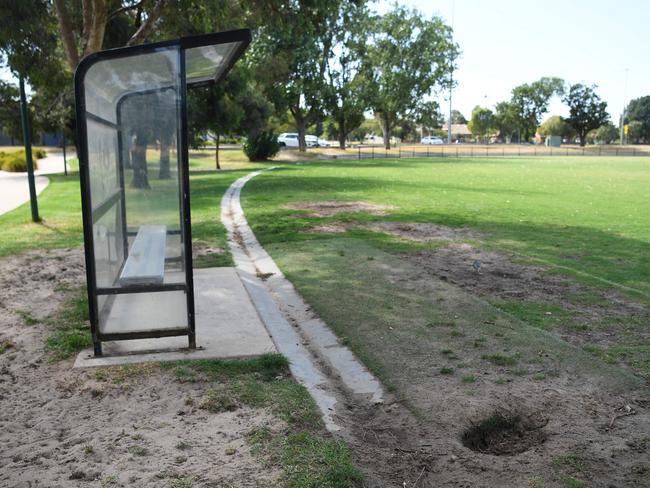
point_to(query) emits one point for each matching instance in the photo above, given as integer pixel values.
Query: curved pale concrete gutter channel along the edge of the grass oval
(328, 369)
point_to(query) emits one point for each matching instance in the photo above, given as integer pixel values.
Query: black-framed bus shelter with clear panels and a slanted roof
(133, 160)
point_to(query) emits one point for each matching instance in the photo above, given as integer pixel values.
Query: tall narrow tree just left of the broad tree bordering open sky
(347, 97)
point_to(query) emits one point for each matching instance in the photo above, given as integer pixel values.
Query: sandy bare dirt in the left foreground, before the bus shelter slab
(64, 428)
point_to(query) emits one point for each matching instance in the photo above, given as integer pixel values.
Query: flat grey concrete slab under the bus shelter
(227, 327)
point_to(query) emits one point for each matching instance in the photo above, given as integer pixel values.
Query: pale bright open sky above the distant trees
(505, 43)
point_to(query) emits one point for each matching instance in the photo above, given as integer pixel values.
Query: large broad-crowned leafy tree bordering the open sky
(409, 57)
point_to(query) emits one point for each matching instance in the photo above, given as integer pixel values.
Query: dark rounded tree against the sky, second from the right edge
(586, 110)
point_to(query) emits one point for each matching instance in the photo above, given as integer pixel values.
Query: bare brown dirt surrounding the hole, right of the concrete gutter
(576, 428)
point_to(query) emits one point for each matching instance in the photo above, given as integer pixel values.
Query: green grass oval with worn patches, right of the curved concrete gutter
(581, 219)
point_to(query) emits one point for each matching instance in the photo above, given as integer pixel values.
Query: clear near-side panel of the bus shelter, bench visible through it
(134, 163)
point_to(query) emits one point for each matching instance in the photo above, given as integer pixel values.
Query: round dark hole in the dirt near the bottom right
(504, 434)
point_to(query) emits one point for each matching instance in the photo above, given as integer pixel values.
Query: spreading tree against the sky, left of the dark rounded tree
(531, 102)
